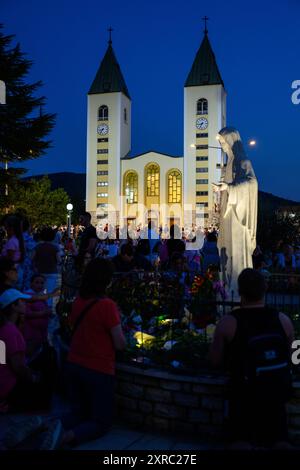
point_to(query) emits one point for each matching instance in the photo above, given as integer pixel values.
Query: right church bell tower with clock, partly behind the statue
(204, 116)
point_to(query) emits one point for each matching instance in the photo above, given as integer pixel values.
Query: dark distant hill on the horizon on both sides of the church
(75, 183)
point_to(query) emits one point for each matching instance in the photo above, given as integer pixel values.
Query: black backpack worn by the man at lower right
(265, 361)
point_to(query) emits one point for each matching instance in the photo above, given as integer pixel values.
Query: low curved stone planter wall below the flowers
(158, 400)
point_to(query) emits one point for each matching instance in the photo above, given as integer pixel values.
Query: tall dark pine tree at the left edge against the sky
(23, 126)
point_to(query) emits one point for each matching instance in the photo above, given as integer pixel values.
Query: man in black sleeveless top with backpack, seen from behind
(254, 342)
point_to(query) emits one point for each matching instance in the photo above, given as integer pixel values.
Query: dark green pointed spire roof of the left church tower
(109, 78)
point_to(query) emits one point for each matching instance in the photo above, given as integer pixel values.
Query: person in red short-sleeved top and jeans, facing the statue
(97, 334)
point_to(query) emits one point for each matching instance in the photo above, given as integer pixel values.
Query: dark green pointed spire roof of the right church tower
(204, 70)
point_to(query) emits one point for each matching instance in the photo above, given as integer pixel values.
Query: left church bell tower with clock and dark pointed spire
(108, 137)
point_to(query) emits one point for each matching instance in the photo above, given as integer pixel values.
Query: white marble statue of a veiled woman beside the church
(238, 210)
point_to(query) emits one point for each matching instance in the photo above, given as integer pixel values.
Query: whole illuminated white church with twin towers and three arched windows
(125, 189)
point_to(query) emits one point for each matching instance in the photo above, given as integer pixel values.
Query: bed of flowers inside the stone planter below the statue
(157, 320)
